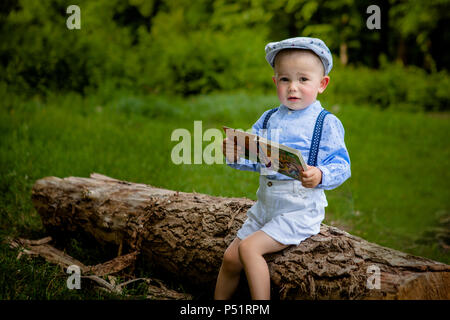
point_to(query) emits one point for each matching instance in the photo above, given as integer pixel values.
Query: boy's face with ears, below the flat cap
(299, 78)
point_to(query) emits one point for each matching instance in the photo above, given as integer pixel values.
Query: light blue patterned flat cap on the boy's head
(313, 44)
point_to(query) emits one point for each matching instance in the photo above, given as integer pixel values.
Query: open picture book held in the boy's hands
(274, 156)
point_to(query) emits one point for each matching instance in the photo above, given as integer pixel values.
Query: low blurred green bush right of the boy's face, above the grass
(393, 86)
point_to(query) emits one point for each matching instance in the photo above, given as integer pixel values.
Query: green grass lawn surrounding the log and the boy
(398, 191)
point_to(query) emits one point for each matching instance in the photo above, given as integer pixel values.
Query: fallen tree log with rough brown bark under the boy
(186, 234)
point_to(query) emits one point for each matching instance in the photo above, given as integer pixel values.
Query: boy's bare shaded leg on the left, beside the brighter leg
(230, 272)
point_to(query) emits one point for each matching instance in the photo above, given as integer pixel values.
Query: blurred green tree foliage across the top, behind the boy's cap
(190, 47)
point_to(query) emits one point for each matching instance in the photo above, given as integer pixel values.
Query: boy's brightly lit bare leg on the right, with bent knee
(251, 251)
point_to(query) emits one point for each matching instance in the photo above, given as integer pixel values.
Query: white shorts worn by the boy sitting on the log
(286, 211)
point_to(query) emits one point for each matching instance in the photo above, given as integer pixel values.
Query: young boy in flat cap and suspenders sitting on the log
(287, 211)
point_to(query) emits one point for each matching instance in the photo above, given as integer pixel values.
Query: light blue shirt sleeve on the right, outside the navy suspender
(333, 158)
